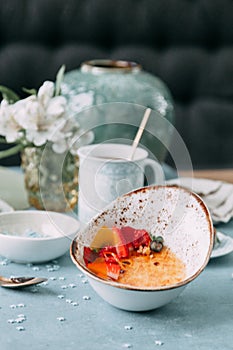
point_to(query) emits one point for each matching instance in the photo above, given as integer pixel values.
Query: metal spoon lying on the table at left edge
(20, 282)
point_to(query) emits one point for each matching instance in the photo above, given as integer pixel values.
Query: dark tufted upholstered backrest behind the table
(188, 44)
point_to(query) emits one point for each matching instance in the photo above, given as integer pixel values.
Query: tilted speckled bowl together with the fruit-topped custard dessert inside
(145, 247)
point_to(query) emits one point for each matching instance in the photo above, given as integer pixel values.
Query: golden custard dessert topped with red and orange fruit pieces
(131, 256)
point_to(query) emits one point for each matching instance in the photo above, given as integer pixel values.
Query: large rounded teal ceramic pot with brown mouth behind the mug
(123, 90)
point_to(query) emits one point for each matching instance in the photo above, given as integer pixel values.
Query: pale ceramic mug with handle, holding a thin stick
(105, 172)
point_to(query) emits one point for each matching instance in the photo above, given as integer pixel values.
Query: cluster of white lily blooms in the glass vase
(39, 119)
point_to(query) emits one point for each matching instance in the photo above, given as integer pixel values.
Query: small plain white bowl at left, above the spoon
(54, 233)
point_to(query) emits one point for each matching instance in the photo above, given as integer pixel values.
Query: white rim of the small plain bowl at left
(40, 213)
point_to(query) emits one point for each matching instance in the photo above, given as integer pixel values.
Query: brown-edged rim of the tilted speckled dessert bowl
(84, 269)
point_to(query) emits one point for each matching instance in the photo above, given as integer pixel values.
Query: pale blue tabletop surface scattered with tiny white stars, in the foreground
(66, 313)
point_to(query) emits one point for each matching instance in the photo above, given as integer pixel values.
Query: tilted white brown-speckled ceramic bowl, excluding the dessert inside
(178, 215)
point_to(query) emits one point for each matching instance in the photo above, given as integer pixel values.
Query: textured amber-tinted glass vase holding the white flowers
(51, 179)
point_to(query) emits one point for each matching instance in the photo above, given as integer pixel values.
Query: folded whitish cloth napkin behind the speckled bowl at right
(217, 195)
